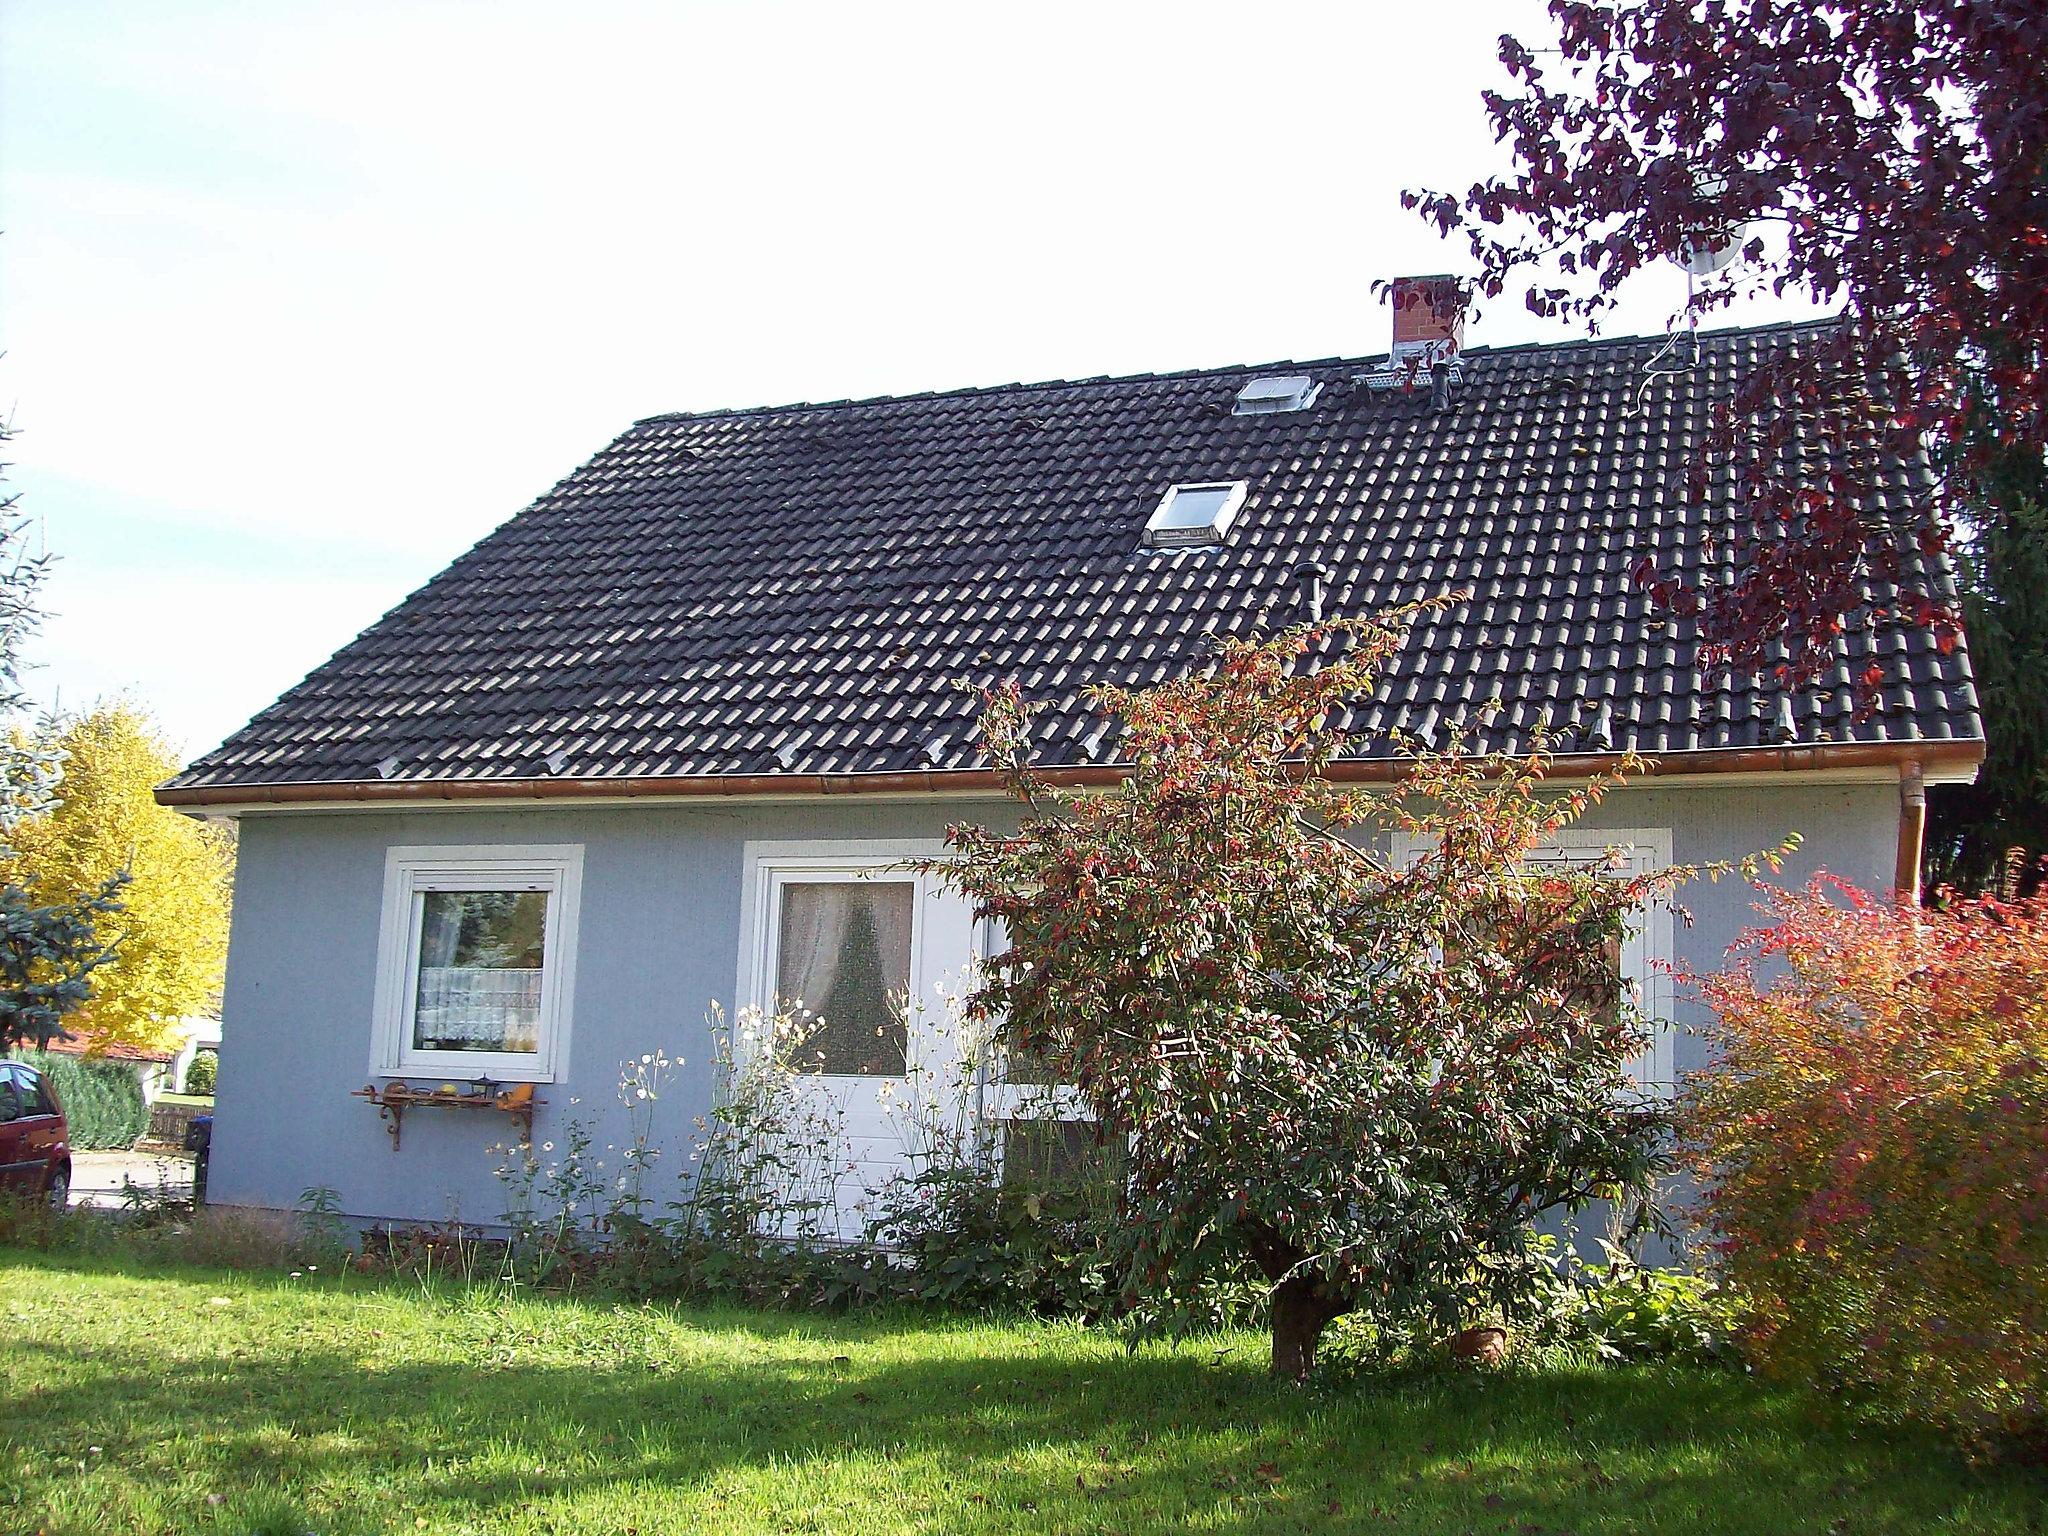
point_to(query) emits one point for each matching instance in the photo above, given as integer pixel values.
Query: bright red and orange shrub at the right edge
(1873, 1156)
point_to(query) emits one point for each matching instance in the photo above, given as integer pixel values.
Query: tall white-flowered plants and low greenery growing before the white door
(751, 1218)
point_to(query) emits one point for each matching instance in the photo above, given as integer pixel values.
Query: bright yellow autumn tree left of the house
(171, 933)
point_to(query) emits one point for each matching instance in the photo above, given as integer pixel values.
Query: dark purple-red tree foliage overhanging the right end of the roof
(1887, 159)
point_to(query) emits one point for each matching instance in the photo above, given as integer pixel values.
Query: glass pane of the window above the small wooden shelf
(480, 972)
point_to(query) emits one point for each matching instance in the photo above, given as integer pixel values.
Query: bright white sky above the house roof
(302, 300)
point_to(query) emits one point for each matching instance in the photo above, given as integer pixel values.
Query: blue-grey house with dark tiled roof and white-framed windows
(665, 736)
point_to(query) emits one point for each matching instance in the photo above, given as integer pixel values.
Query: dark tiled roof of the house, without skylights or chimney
(800, 589)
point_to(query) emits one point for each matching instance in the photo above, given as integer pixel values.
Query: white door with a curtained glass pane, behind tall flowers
(867, 962)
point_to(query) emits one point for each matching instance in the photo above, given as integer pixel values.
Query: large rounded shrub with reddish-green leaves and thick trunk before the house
(1363, 1080)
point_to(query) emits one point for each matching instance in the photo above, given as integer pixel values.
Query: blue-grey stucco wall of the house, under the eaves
(658, 945)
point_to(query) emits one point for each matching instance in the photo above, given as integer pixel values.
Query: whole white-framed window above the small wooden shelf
(476, 964)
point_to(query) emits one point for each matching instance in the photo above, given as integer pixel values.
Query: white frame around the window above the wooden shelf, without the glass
(411, 876)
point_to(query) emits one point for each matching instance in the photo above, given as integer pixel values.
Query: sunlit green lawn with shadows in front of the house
(198, 1402)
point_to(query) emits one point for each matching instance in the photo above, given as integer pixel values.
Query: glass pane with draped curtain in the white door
(845, 957)
